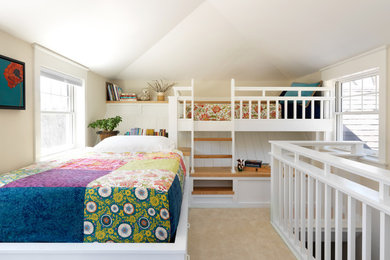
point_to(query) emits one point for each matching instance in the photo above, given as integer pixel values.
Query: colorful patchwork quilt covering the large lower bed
(99, 197)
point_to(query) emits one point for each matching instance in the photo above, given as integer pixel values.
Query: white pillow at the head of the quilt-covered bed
(135, 143)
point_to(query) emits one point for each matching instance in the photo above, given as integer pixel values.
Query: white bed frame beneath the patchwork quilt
(100, 251)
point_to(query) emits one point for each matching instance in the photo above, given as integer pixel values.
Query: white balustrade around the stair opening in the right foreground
(320, 201)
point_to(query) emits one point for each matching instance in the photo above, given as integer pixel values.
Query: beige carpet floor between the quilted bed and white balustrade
(234, 234)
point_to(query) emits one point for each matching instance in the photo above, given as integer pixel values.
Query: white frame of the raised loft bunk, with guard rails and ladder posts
(184, 95)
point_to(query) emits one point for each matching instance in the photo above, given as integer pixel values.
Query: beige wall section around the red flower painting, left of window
(17, 126)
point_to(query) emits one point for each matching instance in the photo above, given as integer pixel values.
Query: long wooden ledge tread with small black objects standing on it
(226, 172)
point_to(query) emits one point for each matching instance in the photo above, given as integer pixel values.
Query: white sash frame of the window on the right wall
(339, 113)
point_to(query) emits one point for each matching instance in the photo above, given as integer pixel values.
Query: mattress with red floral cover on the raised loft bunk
(222, 112)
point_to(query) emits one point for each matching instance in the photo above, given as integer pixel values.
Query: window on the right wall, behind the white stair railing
(357, 110)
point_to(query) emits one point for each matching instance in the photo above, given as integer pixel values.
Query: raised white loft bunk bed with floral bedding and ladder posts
(256, 109)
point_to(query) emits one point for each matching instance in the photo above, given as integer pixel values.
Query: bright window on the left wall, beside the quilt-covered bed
(58, 113)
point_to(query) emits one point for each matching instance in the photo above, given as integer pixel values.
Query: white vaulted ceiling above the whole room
(257, 40)
